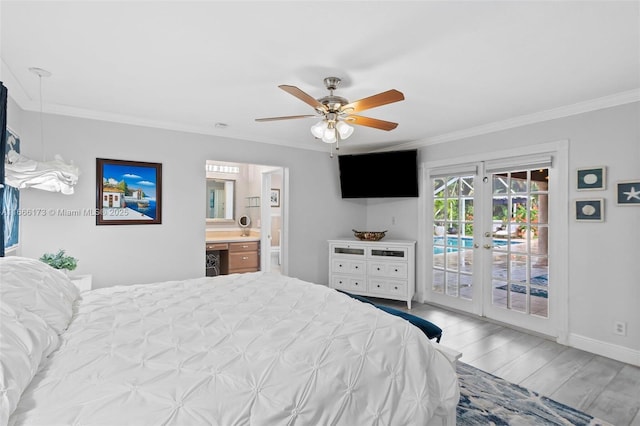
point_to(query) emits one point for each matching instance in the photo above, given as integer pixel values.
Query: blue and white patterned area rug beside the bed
(486, 399)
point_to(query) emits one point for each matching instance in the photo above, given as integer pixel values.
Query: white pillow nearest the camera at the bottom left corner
(25, 340)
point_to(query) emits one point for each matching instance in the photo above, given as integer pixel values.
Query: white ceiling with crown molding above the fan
(465, 68)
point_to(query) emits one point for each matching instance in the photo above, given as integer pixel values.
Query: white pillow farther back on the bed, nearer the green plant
(34, 286)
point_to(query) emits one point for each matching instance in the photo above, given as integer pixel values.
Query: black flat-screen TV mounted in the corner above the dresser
(379, 175)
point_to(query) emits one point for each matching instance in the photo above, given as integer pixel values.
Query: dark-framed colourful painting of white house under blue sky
(128, 192)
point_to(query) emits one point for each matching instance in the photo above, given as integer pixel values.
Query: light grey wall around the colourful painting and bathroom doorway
(127, 254)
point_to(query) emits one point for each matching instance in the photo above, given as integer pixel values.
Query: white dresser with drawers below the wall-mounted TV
(384, 269)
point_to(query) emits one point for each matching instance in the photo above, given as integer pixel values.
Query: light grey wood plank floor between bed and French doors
(602, 387)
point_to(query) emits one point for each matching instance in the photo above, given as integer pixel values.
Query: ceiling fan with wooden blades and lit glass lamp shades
(337, 112)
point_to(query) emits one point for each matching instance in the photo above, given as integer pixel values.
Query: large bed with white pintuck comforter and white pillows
(242, 349)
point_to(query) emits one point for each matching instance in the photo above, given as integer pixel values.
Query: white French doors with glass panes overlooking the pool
(491, 239)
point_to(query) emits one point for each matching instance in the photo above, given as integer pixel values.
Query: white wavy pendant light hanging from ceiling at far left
(54, 175)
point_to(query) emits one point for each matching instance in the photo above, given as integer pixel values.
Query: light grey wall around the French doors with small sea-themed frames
(604, 258)
